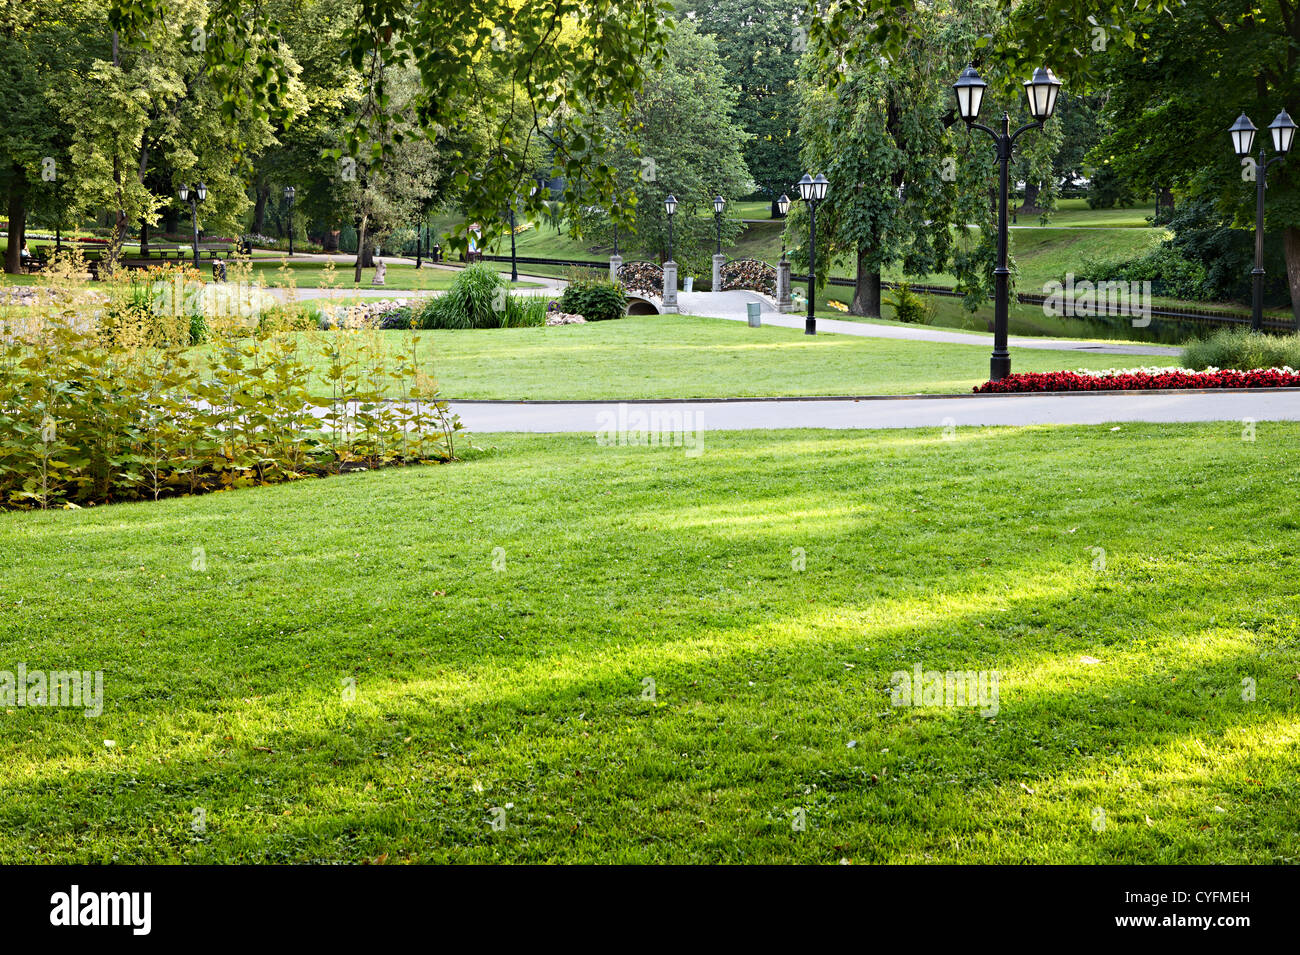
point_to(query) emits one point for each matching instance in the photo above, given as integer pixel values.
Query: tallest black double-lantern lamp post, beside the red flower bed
(1042, 93)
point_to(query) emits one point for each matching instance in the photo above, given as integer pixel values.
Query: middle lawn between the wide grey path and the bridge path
(684, 357)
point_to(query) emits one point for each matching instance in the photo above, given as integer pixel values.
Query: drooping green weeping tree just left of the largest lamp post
(883, 133)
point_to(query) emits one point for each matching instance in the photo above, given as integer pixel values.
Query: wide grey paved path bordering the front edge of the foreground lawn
(883, 413)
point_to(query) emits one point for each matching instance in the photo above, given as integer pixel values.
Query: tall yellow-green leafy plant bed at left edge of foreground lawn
(105, 401)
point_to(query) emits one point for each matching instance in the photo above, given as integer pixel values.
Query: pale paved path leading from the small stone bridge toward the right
(733, 306)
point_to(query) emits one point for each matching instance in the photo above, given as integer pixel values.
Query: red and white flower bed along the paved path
(1143, 380)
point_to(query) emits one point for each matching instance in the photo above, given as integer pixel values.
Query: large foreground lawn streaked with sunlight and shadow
(504, 622)
